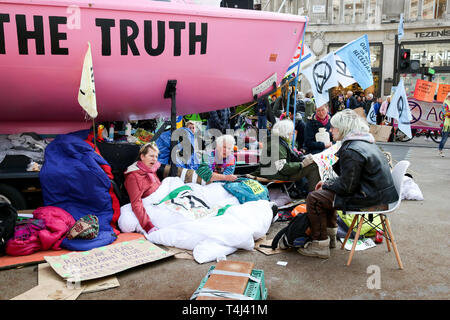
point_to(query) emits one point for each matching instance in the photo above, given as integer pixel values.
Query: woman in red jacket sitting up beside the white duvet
(141, 181)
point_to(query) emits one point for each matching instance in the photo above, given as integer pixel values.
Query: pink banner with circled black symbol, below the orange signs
(425, 115)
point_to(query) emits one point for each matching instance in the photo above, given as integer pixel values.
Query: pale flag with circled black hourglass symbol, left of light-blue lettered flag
(322, 76)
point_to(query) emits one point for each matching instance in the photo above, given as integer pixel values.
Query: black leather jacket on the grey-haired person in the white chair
(365, 178)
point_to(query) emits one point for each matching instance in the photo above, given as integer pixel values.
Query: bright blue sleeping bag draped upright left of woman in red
(72, 179)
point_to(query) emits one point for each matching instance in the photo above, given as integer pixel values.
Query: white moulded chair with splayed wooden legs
(397, 174)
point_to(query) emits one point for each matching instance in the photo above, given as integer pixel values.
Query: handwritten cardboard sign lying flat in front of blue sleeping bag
(107, 260)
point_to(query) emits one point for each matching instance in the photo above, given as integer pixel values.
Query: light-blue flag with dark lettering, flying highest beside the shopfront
(356, 56)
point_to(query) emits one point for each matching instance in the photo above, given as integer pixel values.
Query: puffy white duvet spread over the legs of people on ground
(209, 237)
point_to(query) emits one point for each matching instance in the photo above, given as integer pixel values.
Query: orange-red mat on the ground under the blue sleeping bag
(8, 262)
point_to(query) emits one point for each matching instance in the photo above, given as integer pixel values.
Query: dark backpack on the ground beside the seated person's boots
(295, 234)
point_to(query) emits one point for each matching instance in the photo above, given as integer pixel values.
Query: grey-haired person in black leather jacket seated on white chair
(364, 180)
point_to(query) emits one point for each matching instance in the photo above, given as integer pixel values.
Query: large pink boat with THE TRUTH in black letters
(217, 55)
